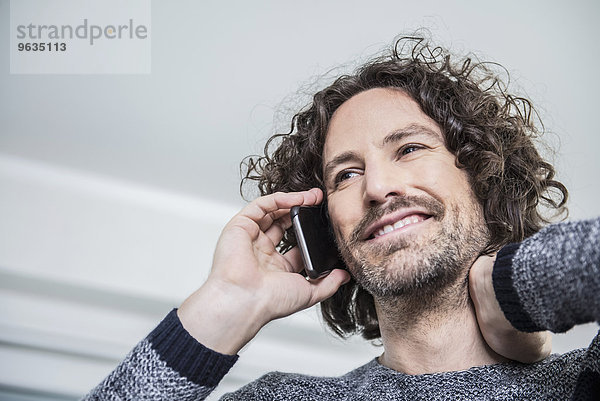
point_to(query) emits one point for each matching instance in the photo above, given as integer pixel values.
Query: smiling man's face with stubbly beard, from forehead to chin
(404, 215)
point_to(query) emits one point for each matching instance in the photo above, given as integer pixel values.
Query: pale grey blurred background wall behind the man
(114, 187)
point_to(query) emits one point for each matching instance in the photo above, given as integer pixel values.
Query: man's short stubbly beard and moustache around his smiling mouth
(419, 266)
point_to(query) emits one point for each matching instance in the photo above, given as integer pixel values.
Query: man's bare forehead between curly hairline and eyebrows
(368, 117)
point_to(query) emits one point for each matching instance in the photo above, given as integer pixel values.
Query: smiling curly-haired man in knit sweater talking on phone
(425, 165)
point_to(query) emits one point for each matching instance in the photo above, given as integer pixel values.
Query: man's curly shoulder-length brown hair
(490, 131)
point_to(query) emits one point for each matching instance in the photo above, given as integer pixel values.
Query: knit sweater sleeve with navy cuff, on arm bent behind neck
(551, 280)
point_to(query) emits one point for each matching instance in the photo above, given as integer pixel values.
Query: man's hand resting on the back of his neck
(497, 331)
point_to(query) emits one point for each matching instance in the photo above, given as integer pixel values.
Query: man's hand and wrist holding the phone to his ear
(251, 283)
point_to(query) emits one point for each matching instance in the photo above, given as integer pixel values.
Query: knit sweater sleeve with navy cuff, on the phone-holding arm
(169, 364)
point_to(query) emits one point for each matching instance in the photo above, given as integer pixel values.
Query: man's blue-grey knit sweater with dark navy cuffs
(549, 281)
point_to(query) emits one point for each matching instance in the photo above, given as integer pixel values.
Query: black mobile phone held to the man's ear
(315, 240)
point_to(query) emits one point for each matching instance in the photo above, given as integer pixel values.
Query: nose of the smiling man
(381, 184)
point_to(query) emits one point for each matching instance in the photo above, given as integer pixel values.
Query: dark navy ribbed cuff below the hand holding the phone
(182, 353)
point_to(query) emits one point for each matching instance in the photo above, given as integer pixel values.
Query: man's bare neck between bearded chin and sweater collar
(440, 334)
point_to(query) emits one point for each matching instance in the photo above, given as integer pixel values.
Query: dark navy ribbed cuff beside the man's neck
(506, 293)
